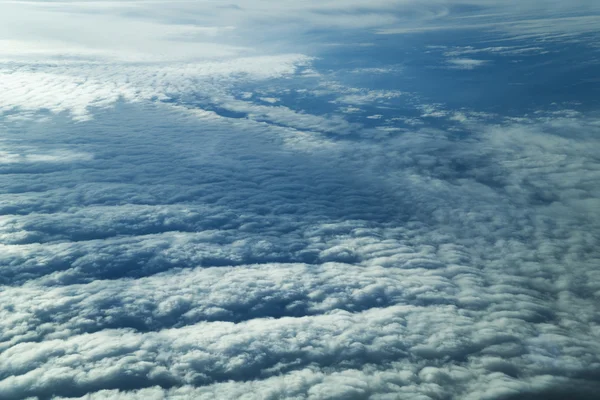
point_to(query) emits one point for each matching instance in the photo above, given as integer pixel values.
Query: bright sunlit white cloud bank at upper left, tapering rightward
(76, 88)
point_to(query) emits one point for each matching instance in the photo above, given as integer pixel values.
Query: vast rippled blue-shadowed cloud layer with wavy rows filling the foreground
(96, 292)
